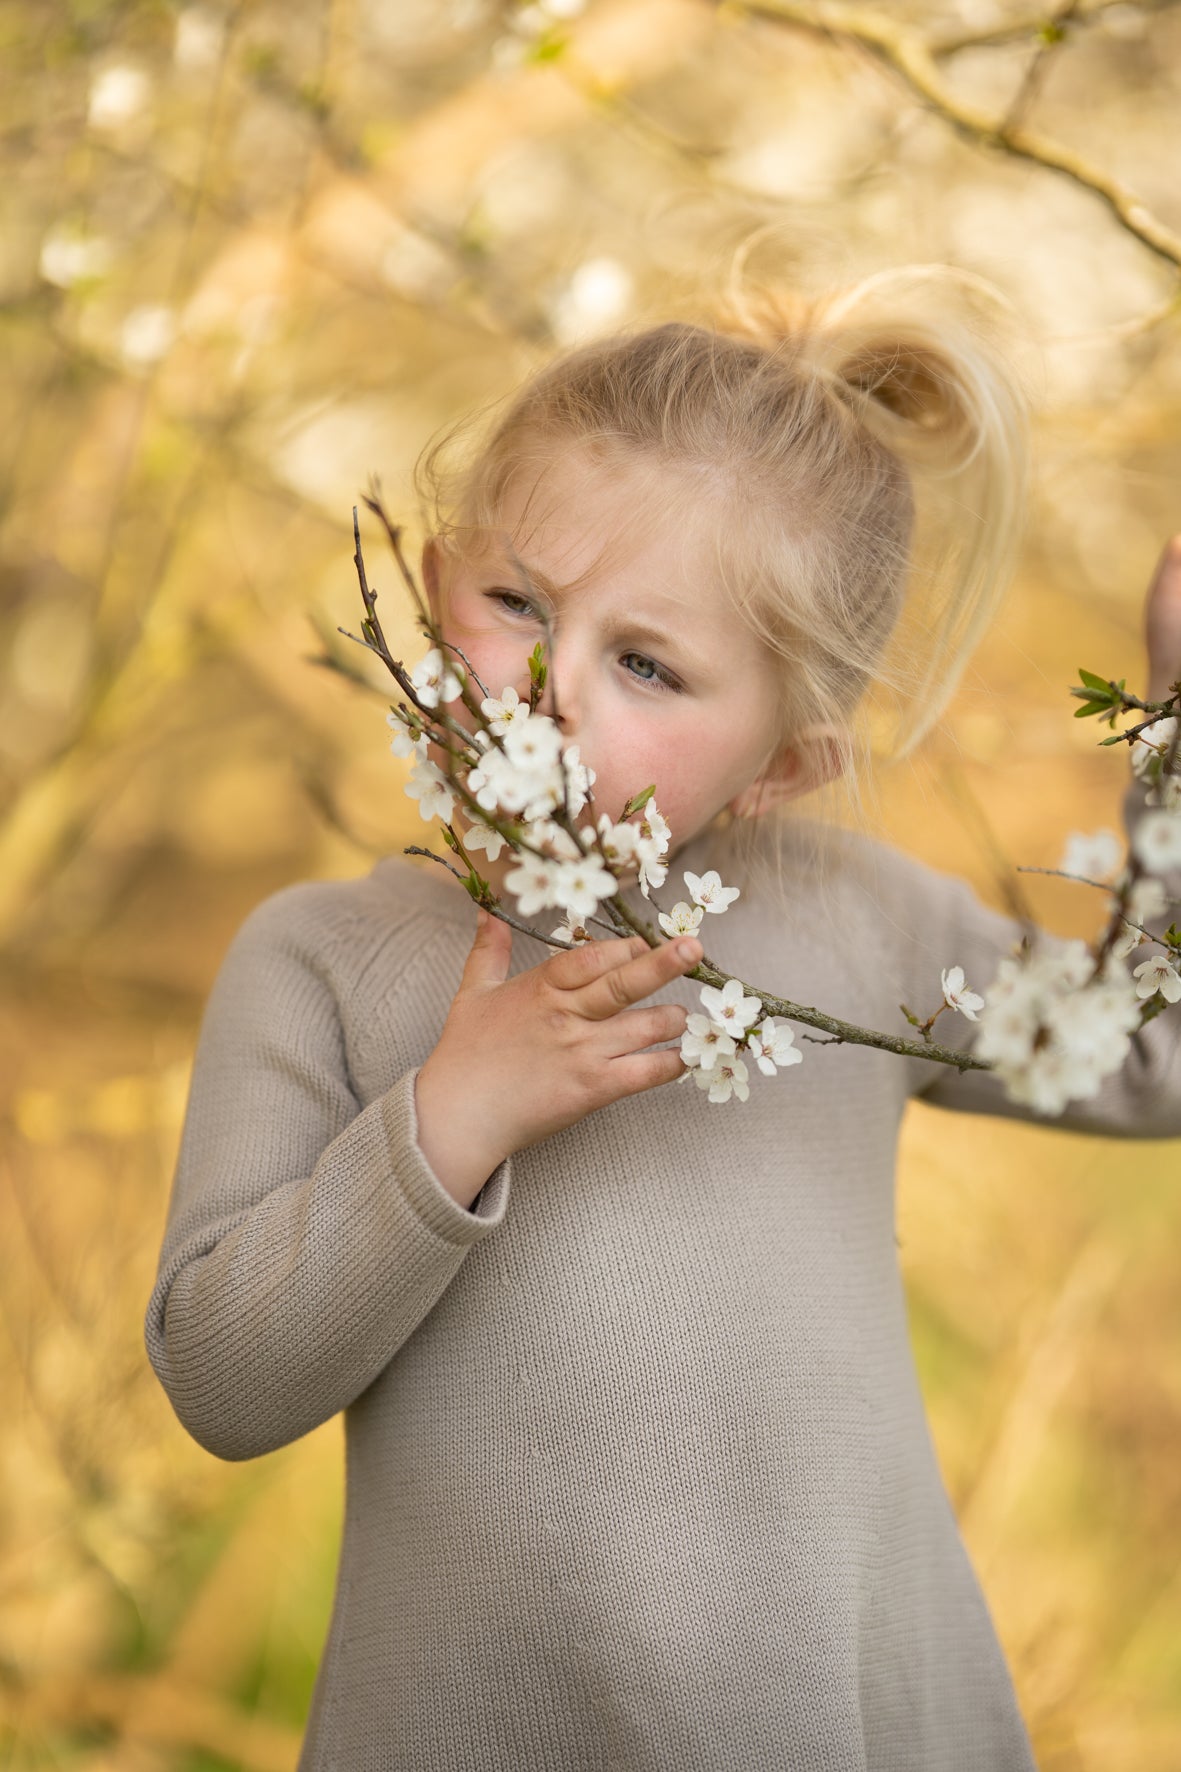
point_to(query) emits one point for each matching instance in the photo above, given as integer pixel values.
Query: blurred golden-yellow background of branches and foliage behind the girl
(253, 254)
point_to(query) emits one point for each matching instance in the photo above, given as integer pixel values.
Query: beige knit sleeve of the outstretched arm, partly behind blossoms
(1143, 1100)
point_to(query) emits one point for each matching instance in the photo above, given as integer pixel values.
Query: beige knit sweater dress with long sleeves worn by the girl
(639, 1473)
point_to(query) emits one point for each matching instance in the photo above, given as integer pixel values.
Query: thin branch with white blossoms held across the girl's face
(536, 779)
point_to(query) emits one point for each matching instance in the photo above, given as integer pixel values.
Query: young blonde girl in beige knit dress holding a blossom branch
(639, 1473)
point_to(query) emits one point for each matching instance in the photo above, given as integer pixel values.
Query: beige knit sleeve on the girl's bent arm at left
(308, 1238)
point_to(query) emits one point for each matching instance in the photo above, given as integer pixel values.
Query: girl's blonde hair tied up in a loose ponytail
(863, 456)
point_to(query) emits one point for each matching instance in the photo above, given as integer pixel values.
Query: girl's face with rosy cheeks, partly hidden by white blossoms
(703, 742)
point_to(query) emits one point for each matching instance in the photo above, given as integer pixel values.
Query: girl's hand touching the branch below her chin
(520, 1059)
